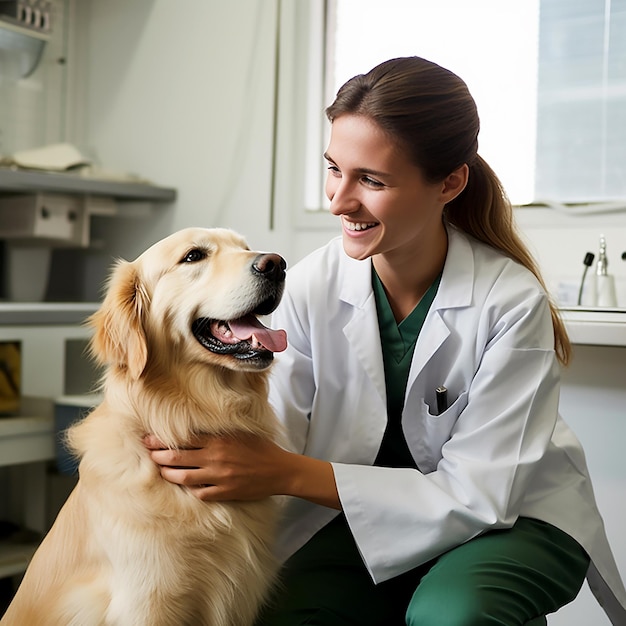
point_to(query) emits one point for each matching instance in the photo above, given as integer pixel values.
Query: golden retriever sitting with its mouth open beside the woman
(184, 354)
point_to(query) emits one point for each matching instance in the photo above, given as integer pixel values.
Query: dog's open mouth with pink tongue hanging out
(245, 338)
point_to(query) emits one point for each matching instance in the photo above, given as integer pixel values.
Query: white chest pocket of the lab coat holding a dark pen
(434, 431)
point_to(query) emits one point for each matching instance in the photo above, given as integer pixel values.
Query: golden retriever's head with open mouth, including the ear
(196, 293)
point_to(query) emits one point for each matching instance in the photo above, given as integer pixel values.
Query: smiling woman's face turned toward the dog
(386, 206)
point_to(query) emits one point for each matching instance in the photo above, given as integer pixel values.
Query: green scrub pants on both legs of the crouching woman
(505, 577)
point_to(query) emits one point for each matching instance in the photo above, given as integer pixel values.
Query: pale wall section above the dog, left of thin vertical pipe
(182, 93)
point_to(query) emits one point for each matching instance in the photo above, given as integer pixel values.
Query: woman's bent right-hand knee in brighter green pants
(503, 577)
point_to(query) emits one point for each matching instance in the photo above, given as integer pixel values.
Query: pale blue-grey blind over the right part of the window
(581, 103)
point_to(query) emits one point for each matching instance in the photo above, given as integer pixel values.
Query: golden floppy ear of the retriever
(119, 337)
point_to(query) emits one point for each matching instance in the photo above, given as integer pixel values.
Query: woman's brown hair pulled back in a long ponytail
(431, 114)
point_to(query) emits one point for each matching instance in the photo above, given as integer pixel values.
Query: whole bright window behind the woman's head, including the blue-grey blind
(548, 77)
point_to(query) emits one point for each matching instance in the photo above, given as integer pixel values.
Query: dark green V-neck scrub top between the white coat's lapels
(398, 343)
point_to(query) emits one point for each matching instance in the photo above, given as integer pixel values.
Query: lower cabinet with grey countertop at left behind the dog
(52, 337)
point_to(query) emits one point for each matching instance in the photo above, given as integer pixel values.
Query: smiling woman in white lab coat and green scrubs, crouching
(435, 483)
